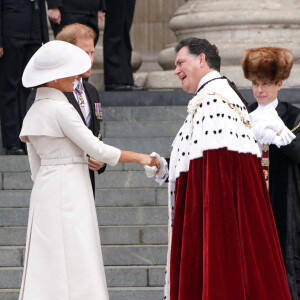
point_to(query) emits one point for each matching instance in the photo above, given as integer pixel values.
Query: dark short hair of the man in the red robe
(197, 46)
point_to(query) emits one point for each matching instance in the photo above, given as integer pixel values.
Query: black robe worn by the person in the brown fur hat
(284, 191)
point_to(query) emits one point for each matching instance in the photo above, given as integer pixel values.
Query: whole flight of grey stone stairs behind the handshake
(132, 209)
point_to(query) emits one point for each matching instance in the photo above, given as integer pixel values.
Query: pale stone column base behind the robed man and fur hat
(233, 26)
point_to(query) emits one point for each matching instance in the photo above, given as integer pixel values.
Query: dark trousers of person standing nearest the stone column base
(116, 42)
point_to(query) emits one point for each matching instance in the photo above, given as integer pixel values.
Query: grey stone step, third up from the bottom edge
(121, 255)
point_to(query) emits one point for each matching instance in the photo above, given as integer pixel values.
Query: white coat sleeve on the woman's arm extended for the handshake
(73, 127)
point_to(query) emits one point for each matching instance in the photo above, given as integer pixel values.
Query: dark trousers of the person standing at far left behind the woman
(13, 95)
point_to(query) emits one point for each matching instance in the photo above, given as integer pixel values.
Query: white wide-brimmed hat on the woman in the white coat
(55, 60)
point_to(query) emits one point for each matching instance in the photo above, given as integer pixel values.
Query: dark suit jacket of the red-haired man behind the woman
(92, 97)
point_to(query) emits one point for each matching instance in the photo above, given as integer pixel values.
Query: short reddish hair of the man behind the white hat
(71, 33)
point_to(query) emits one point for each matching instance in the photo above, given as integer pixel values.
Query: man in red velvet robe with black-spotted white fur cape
(223, 243)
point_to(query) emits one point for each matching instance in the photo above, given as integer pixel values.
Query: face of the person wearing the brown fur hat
(265, 92)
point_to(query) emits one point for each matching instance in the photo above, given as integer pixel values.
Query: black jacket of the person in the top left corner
(24, 19)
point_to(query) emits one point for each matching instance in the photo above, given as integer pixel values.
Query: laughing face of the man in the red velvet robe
(188, 70)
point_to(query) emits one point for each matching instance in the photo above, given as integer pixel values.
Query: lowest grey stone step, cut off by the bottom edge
(129, 293)
